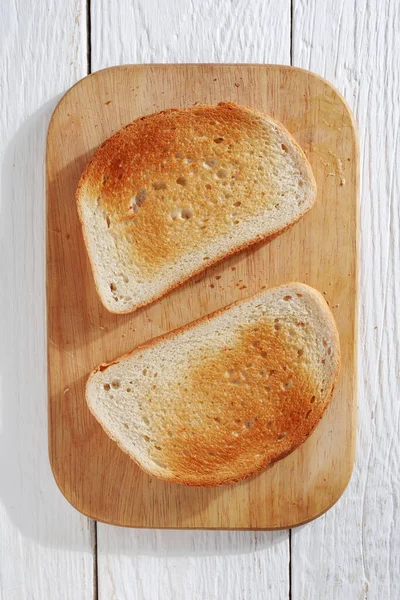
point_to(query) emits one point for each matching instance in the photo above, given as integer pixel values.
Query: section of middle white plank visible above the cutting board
(173, 31)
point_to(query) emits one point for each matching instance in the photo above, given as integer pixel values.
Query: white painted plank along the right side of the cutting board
(354, 550)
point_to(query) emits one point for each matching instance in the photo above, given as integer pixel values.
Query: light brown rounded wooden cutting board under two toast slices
(321, 250)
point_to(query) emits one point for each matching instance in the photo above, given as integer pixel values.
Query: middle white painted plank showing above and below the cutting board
(163, 565)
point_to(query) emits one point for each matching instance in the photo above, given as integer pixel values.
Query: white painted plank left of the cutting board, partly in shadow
(46, 547)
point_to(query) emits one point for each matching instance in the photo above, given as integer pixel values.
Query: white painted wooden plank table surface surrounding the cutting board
(48, 550)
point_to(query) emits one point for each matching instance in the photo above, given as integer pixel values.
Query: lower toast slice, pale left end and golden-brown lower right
(223, 397)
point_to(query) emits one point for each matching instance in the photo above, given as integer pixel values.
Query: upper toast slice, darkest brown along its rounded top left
(174, 192)
